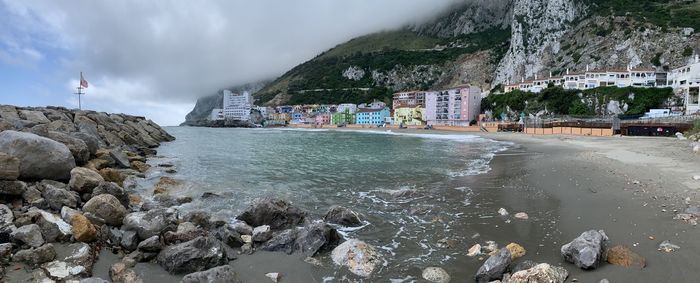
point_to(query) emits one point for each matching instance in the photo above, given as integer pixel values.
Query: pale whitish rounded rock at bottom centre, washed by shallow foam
(359, 257)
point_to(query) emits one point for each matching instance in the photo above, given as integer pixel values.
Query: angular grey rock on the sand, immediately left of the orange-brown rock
(587, 250)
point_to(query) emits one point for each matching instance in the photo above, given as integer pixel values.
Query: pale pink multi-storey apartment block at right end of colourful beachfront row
(453, 107)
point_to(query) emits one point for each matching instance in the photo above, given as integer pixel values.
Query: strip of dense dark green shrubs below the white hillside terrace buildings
(568, 102)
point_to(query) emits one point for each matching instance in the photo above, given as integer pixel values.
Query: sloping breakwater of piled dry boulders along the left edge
(62, 174)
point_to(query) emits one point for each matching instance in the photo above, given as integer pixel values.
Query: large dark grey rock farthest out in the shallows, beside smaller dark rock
(279, 214)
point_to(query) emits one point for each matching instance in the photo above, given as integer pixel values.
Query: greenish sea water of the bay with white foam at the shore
(415, 190)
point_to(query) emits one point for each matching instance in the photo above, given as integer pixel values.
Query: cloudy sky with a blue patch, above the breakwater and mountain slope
(155, 58)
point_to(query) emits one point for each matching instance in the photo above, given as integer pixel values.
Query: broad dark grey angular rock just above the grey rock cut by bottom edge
(199, 254)
